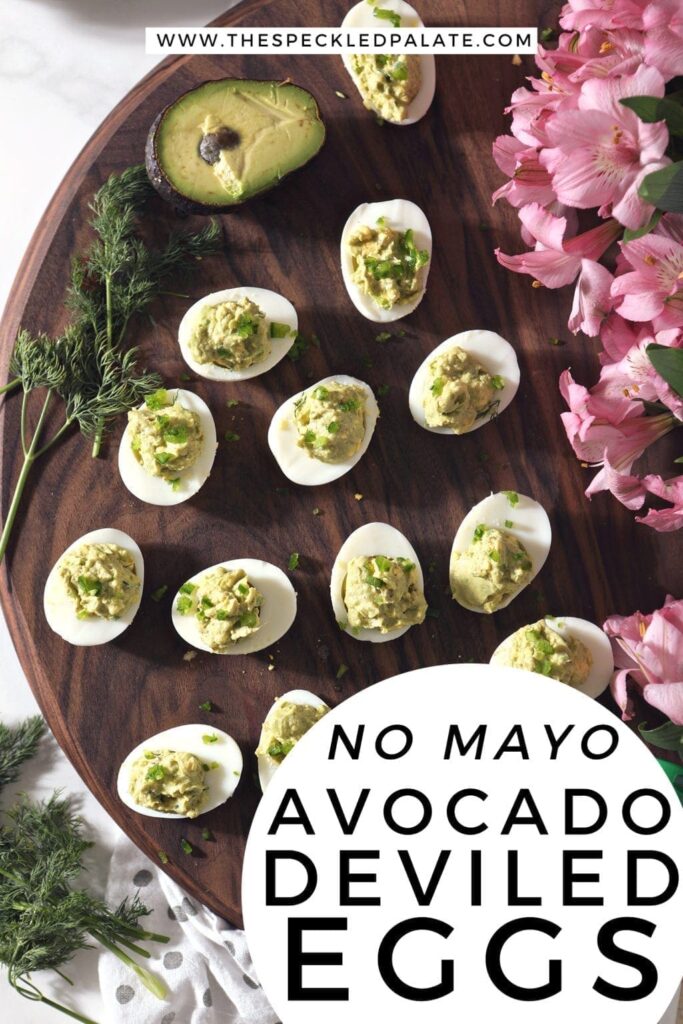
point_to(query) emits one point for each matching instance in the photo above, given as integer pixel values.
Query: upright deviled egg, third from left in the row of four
(377, 587)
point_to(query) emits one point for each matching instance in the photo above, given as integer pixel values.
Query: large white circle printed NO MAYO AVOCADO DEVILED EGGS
(467, 843)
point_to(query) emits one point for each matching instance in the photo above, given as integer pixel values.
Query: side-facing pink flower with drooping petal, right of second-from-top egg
(556, 263)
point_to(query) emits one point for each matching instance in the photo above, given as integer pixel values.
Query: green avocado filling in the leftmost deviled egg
(101, 580)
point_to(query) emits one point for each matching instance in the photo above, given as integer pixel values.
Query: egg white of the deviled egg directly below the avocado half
(278, 310)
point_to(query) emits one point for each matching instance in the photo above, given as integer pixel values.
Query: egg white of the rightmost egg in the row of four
(530, 525)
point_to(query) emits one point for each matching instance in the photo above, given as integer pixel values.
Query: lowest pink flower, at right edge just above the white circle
(649, 652)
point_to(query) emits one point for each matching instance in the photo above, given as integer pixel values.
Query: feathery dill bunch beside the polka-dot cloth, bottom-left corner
(45, 918)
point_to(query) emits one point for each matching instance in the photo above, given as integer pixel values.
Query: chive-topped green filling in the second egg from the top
(387, 264)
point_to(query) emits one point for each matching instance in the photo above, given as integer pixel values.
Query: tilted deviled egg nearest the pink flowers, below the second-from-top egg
(464, 383)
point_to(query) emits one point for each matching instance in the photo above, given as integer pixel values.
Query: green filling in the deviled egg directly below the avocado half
(232, 334)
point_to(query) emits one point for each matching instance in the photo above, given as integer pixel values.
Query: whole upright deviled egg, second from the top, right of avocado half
(386, 258)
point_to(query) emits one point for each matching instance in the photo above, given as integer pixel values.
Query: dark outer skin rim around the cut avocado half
(184, 204)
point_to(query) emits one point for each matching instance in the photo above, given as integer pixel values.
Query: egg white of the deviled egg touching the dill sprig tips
(155, 490)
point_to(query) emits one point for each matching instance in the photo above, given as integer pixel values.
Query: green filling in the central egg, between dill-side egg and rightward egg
(331, 421)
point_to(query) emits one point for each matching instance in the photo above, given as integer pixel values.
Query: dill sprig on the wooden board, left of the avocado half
(90, 368)
